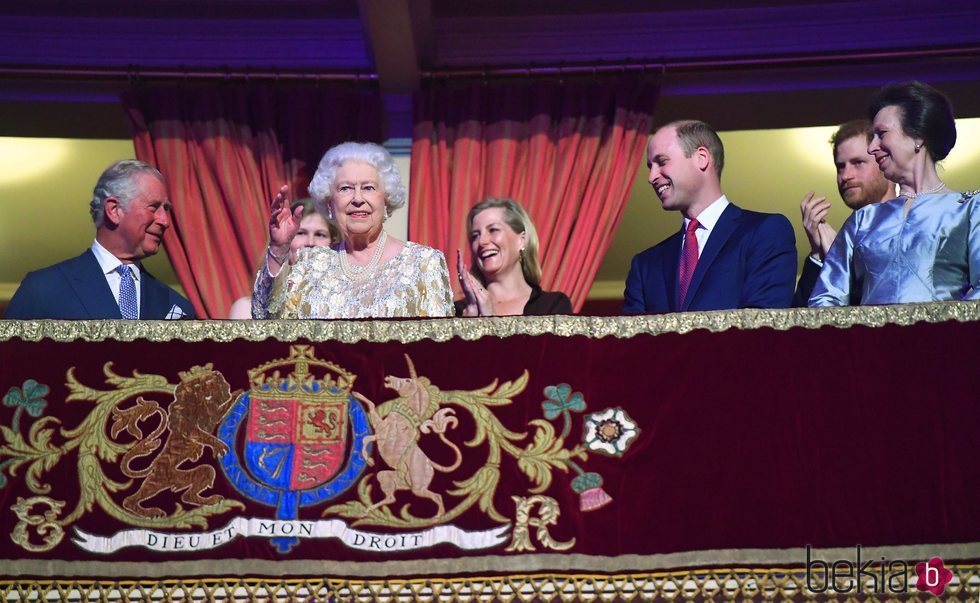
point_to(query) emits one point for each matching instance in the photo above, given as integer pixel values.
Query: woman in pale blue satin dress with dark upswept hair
(922, 246)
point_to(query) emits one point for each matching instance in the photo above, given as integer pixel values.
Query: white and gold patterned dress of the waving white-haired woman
(414, 283)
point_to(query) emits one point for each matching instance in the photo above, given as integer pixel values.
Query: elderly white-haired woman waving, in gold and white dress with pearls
(368, 274)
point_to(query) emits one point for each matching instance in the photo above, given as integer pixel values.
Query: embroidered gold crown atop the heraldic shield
(268, 380)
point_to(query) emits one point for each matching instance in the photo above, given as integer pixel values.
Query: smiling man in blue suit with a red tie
(723, 257)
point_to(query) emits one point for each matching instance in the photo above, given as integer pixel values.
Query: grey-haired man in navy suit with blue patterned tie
(131, 212)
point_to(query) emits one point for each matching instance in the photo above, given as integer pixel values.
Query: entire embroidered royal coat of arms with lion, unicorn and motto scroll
(417, 467)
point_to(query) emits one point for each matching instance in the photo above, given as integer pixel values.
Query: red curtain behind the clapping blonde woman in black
(568, 151)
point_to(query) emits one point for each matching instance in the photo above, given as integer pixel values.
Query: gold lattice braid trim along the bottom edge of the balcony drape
(725, 584)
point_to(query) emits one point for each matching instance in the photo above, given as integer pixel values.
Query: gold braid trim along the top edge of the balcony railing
(444, 329)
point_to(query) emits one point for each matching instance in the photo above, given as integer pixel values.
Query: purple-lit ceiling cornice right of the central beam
(693, 34)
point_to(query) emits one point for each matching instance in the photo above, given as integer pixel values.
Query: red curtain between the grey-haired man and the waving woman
(224, 150)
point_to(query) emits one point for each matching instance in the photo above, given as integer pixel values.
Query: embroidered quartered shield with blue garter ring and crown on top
(298, 431)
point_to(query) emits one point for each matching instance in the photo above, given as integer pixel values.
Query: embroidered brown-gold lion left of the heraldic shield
(201, 400)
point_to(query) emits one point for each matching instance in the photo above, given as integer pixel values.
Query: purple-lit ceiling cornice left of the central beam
(289, 44)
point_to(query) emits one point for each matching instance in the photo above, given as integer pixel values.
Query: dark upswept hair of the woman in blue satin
(925, 113)
